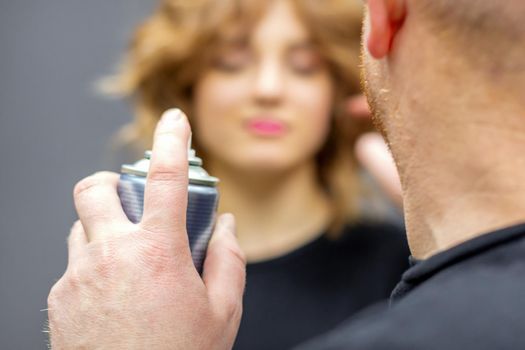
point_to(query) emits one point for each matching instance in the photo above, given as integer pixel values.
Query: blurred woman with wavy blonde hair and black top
(265, 85)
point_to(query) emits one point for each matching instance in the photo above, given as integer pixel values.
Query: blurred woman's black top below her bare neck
(309, 291)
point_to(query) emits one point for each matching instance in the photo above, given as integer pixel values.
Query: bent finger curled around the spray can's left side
(98, 204)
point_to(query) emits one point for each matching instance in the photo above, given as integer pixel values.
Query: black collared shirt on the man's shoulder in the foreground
(469, 297)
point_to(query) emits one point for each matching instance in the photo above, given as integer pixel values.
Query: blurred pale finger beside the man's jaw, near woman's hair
(372, 152)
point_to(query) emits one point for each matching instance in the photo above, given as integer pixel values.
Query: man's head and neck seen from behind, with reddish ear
(446, 81)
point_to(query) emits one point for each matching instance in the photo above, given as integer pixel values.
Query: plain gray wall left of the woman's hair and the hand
(54, 130)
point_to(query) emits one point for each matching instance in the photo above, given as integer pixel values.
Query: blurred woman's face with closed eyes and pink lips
(265, 102)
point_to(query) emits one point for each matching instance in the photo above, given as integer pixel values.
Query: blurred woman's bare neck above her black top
(275, 212)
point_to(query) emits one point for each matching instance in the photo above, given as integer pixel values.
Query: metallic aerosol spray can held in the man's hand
(202, 201)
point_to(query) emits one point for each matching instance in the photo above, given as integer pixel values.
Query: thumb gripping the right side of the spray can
(225, 267)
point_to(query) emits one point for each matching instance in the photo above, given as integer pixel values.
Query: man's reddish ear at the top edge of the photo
(386, 18)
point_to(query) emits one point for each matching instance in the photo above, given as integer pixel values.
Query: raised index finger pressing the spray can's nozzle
(166, 192)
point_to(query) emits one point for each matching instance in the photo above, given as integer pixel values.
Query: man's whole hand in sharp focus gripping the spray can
(134, 286)
